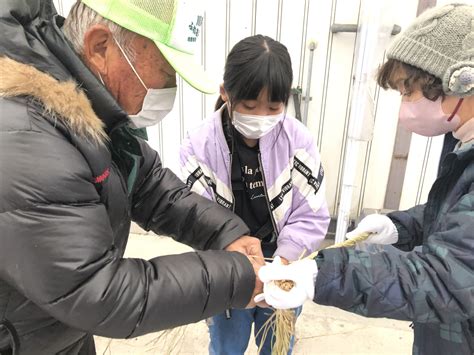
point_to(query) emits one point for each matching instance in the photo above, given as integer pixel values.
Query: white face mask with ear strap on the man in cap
(156, 104)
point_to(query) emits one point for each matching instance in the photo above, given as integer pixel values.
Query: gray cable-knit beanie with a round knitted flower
(441, 42)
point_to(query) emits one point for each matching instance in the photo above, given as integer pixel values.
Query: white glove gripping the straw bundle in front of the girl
(302, 273)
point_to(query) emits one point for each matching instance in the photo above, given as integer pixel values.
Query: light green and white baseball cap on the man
(173, 25)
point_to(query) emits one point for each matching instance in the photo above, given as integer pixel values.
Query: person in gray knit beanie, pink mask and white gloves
(432, 65)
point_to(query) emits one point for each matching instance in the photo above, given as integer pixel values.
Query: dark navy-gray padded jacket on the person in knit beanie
(433, 288)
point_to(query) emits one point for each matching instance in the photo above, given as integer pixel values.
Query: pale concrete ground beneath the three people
(319, 330)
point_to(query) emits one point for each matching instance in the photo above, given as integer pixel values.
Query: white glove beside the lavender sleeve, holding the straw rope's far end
(382, 228)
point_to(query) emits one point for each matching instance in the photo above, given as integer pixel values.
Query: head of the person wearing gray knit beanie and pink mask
(432, 65)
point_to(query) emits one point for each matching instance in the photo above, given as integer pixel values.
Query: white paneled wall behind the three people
(294, 23)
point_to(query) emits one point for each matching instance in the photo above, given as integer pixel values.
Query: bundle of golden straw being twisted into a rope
(283, 321)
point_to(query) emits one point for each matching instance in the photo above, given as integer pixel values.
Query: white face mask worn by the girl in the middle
(255, 126)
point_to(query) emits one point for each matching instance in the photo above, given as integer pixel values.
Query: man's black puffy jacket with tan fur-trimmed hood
(72, 177)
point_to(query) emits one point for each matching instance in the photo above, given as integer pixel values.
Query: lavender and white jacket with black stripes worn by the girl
(293, 178)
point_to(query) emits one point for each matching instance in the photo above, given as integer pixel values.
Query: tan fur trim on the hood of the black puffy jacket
(65, 100)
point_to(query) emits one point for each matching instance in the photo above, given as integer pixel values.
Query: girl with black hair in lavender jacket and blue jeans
(252, 158)
